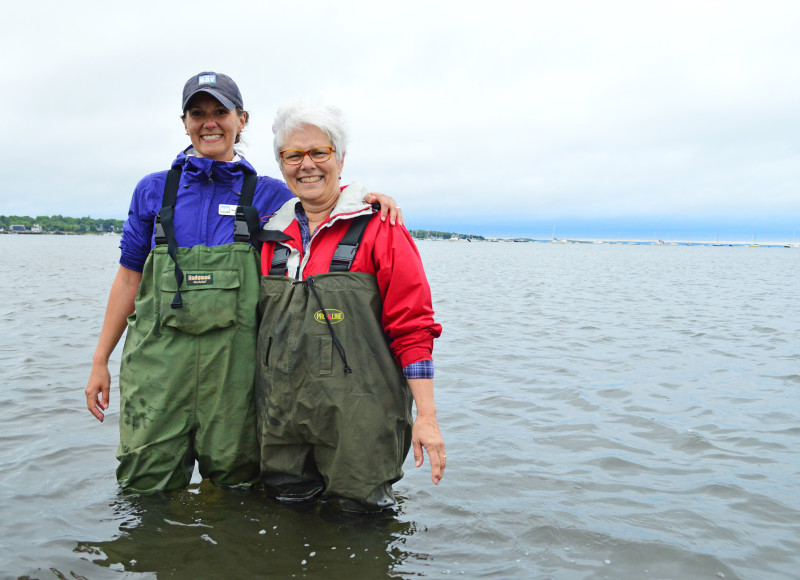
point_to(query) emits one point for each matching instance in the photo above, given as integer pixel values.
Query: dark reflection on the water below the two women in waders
(205, 531)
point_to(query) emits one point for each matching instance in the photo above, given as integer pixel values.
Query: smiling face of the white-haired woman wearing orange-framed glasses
(313, 183)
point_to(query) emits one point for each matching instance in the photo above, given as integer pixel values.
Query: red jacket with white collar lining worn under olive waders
(386, 251)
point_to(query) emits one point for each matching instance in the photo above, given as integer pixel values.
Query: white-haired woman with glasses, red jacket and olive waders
(346, 338)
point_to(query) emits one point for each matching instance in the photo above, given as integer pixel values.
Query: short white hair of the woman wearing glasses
(298, 114)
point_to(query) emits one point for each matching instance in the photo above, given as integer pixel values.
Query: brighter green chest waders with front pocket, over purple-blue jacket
(188, 365)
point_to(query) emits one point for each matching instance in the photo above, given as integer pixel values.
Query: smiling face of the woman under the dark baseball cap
(212, 128)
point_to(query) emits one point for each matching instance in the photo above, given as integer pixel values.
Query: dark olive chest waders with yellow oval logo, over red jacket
(334, 408)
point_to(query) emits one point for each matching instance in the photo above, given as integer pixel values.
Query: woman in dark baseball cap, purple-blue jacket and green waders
(187, 291)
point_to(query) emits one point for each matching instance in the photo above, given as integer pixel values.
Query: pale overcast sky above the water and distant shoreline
(500, 116)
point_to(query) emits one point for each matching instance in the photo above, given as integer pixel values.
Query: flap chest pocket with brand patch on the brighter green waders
(209, 300)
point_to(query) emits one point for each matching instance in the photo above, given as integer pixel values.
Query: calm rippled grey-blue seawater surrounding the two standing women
(609, 411)
